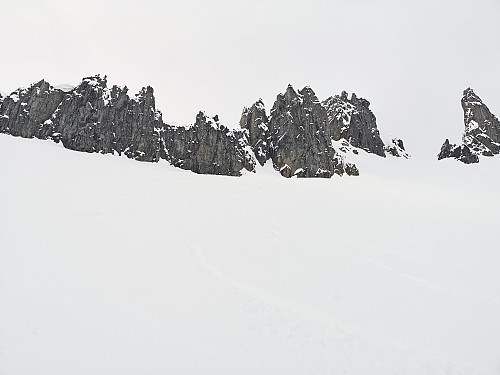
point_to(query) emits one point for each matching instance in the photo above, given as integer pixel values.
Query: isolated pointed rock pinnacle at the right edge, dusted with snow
(481, 136)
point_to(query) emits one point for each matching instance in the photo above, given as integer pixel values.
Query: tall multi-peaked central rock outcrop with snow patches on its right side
(300, 135)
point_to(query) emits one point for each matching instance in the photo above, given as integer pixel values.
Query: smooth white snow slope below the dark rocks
(111, 266)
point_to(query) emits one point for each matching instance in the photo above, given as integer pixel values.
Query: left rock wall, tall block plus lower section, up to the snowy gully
(95, 118)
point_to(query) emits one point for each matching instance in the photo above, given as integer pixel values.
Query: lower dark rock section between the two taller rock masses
(208, 147)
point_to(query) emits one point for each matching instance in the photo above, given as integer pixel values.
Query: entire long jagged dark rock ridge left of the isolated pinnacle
(301, 135)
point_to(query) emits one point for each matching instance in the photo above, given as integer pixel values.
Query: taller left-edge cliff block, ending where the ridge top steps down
(90, 118)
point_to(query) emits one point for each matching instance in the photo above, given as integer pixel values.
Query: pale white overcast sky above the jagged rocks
(410, 59)
